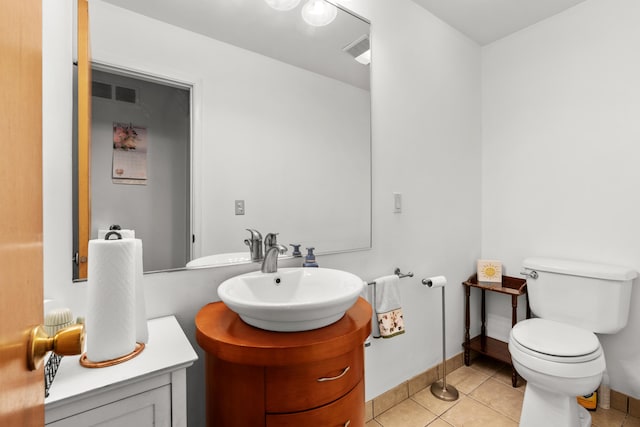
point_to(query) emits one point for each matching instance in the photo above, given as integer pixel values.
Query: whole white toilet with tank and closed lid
(557, 352)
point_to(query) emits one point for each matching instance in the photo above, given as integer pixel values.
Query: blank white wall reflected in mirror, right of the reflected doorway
(273, 125)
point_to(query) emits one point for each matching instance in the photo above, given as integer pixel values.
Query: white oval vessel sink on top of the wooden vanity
(292, 299)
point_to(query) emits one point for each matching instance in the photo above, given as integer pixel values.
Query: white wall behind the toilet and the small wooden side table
(561, 142)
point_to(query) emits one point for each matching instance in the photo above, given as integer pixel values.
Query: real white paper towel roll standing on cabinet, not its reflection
(110, 320)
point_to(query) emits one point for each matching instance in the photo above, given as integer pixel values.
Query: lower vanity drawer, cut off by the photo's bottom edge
(348, 411)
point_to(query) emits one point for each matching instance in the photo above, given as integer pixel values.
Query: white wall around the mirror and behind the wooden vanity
(426, 145)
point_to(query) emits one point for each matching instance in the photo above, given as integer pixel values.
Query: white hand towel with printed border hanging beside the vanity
(388, 309)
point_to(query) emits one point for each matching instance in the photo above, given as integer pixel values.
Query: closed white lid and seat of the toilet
(555, 341)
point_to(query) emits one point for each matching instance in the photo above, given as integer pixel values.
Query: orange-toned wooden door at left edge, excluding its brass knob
(21, 390)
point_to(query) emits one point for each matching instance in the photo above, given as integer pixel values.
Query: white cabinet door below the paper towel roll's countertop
(151, 408)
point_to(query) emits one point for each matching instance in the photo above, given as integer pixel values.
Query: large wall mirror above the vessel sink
(279, 123)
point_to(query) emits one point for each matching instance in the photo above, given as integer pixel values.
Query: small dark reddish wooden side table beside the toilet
(483, 344)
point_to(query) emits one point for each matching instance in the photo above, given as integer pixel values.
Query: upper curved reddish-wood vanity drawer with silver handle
(300, 387)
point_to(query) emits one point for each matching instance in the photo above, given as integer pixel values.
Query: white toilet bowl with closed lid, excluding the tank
(559, 362)
